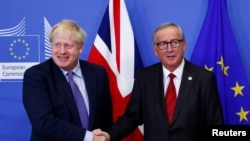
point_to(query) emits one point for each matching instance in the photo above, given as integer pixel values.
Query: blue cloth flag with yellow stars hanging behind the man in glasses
(217, 51)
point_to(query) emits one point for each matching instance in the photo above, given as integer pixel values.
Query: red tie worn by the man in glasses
(170, 98)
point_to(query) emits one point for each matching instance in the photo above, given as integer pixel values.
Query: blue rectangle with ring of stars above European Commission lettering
(19, 49)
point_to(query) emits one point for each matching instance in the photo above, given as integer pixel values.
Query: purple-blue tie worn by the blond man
(79, 101)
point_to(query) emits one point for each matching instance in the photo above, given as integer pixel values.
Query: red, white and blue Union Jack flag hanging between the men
(115, 49)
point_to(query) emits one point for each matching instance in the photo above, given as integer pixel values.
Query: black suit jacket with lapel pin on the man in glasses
(198, 106)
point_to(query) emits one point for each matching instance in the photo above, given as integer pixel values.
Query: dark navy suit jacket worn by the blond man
(50, 105)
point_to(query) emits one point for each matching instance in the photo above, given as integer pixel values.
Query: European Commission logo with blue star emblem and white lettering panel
(17, 52)
